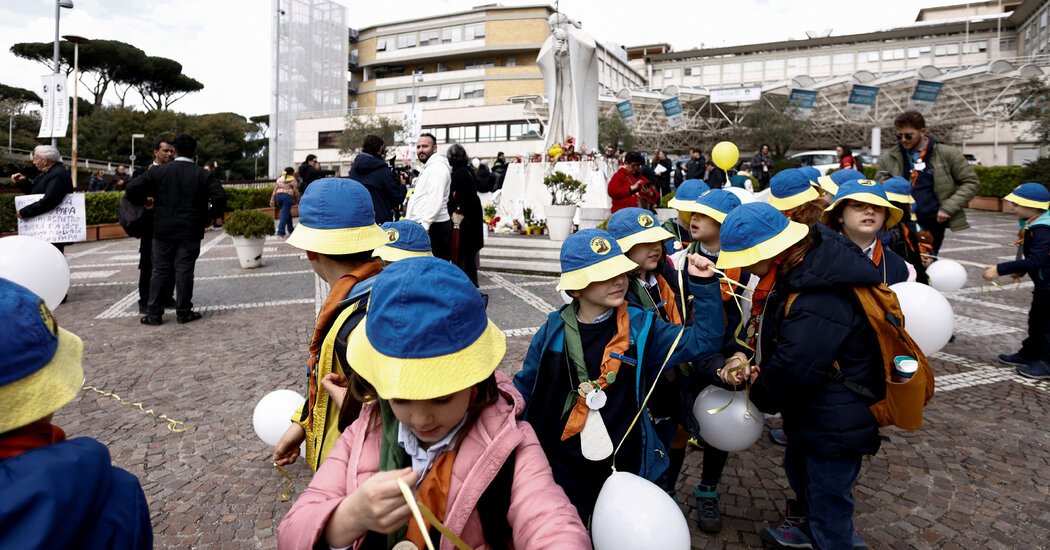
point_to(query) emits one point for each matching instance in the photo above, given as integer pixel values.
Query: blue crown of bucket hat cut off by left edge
(30, 335)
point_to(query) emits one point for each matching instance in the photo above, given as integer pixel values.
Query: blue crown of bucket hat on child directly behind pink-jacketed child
(337, 203)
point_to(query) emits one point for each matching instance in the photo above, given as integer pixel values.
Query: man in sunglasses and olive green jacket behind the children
(943, 183)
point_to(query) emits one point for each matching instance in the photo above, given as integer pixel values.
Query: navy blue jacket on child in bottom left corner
(70, 496)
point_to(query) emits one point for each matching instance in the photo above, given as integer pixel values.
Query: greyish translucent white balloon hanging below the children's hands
(734, 429)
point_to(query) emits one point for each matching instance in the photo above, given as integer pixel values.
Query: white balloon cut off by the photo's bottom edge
(633, 513)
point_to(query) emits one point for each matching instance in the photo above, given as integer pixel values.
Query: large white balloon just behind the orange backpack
(928, 315)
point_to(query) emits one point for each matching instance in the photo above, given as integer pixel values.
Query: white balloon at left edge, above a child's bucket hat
(36, 265)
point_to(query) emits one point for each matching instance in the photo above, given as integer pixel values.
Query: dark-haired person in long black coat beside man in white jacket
(465, 207)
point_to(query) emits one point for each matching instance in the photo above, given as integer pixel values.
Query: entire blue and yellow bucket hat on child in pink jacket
(427, 334)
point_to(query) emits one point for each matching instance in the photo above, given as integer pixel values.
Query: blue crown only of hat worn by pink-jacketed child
(423, 308)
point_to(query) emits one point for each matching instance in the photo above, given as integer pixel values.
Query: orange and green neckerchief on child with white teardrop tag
(614, 351)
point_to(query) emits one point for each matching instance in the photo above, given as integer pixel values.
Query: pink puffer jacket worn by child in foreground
(541, 516)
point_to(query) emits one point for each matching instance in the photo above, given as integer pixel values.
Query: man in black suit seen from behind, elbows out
(181, 193)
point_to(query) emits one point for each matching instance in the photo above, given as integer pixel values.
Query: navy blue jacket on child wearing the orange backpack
(797, 352)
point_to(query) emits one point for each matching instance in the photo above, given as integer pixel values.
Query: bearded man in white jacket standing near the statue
(429, 205)
